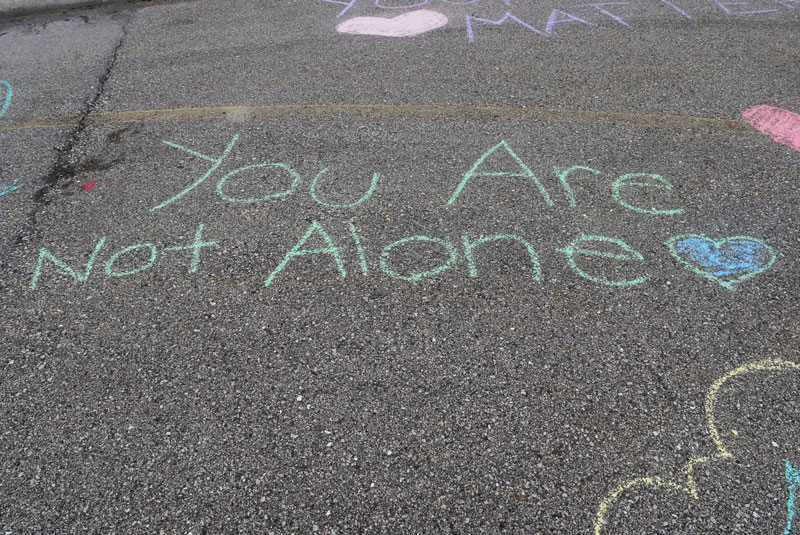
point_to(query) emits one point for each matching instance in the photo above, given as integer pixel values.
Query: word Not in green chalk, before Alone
(46, 255)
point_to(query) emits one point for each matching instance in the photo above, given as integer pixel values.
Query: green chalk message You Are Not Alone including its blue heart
(727, 262)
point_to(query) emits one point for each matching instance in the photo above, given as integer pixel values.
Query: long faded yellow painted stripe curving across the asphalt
(379, 110)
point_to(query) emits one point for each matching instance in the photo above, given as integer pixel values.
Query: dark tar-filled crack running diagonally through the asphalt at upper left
(63, 170)
